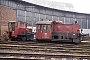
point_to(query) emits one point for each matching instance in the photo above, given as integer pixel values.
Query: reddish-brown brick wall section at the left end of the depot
(6, 14)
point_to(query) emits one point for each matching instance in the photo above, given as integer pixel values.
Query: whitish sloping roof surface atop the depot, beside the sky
(52, 4)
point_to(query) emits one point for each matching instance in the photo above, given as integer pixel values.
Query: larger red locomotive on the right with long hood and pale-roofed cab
(56, 30)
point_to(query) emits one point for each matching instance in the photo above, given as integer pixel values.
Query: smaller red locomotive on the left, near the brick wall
(19, 30)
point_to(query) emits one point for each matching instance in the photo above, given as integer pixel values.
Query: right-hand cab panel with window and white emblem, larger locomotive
(46, 32)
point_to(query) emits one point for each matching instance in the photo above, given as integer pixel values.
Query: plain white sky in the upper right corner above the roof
(82, 6)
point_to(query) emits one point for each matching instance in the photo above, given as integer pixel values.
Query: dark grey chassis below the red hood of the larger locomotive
(68, 36)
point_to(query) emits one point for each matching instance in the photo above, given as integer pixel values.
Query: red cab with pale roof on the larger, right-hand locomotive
(43, 30)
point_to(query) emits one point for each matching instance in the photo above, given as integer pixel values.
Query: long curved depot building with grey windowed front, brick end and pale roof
(32, 11)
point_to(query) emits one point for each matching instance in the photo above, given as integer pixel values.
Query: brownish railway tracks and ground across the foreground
(46, 51)
